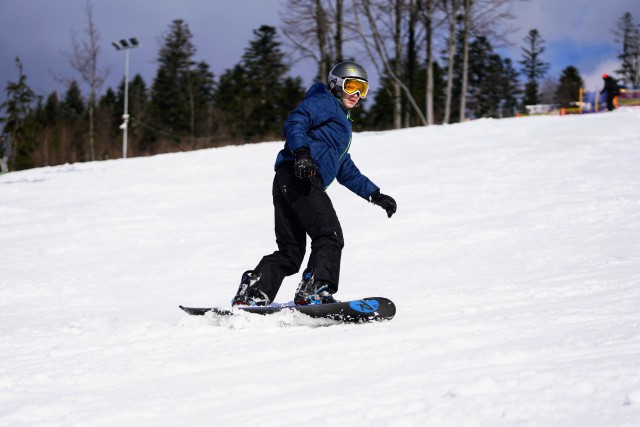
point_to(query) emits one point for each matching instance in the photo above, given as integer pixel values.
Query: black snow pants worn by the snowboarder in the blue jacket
(301, 207)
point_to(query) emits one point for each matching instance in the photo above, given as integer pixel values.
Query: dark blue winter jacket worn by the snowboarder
(320, 124)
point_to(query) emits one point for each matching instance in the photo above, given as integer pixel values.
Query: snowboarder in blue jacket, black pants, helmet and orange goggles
(318, 136)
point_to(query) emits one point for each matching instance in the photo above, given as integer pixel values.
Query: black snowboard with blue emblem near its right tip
(357, 311)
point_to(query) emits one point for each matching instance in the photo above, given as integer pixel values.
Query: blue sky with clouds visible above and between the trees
(577, 32)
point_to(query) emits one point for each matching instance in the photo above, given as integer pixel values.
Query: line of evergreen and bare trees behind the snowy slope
(437, 61)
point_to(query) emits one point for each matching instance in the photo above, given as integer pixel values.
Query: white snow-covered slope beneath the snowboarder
(513, 259)
